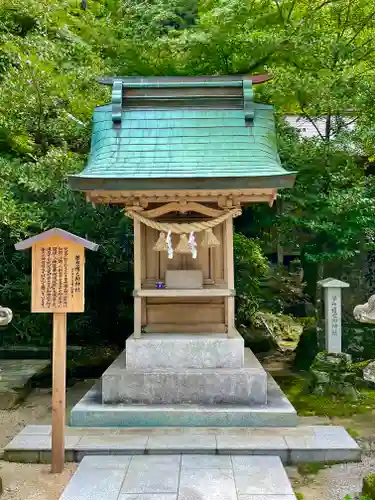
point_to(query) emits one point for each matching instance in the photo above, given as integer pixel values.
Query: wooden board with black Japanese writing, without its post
(57, 276)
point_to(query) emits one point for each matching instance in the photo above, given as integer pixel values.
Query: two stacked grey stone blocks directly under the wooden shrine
(182, 385)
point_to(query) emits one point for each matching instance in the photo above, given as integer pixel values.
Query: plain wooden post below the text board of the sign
(58, 391)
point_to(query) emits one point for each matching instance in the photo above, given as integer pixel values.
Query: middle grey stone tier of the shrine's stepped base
(181, 385)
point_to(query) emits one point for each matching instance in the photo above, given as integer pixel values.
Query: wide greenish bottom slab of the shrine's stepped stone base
(91, 412)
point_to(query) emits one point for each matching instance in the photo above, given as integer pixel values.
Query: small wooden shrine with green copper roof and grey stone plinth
(181, 156)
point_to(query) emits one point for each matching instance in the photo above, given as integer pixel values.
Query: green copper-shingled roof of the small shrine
(160, 138)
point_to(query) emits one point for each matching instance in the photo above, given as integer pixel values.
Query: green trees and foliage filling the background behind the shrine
(52, 52)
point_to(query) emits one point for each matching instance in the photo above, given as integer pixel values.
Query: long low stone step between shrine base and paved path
(291, 445)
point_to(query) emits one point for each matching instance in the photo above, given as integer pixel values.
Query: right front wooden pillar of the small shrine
(229, 275)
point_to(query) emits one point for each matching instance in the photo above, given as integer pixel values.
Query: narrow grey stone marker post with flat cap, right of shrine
(332, 313)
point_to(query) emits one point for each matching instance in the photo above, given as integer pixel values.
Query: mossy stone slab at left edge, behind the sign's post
(15, 377)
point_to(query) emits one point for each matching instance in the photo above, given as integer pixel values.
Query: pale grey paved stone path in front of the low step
(179, 477)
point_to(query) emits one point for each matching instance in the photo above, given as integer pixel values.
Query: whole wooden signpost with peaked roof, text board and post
(58, 259)
